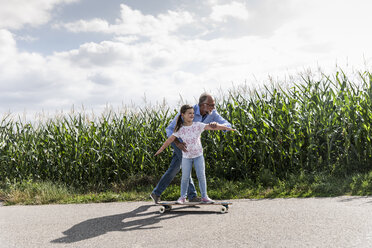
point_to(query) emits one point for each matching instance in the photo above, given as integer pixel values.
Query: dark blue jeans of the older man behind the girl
(172, 171)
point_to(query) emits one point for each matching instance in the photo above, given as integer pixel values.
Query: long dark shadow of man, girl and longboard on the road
(102, 225)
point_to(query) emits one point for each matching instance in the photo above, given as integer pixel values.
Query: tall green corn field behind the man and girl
(312, 126)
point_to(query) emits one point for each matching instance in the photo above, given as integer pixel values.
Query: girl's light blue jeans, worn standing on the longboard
(200, 173)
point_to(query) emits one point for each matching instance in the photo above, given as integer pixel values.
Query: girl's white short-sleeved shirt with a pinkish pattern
(191, 136)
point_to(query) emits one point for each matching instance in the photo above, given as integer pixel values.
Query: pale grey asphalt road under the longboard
(311, 222)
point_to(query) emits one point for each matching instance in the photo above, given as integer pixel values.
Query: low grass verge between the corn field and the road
(315, 185)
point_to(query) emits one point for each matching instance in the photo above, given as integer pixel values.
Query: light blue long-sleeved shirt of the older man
(213, 117)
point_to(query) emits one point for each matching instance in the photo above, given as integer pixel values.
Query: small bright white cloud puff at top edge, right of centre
(220, 13)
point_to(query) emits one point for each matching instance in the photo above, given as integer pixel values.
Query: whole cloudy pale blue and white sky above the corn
(59, 55)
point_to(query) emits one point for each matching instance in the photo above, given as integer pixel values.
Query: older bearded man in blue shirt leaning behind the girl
(204, 112)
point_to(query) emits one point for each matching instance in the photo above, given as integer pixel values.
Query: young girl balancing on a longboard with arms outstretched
(190, 132)
